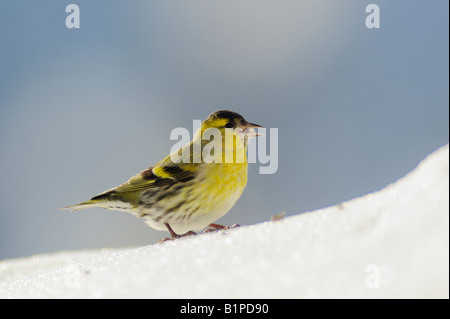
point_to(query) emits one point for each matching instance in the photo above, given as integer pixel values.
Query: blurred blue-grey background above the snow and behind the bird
(82, 110)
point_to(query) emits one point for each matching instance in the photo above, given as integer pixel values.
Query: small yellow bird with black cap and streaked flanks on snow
(191, 188)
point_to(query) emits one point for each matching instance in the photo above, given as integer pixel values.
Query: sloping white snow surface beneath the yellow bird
(393, 243)
